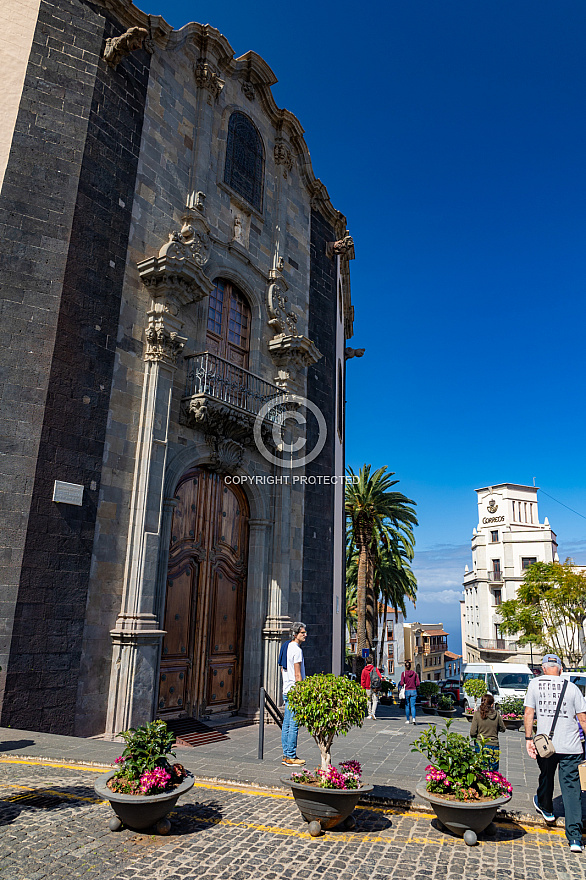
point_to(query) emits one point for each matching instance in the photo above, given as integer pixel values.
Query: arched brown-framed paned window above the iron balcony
(228, 333)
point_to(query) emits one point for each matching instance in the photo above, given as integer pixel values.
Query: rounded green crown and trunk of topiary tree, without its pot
(327, 706)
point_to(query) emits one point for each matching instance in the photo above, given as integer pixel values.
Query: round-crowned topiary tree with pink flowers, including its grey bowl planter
(328, 706)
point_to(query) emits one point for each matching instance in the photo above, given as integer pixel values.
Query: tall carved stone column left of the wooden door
(174, 279)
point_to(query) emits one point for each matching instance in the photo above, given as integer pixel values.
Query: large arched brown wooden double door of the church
(202, 654)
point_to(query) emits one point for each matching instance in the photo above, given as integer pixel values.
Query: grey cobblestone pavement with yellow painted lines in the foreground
(52, 825)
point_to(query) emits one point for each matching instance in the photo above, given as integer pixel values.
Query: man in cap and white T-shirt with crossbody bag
(557, 703)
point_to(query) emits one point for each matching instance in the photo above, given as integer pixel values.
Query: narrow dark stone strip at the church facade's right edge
(318, 532)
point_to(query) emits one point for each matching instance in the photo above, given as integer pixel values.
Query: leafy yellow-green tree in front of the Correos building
(550, 610)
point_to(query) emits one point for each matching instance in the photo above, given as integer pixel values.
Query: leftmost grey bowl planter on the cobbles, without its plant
(141, 811)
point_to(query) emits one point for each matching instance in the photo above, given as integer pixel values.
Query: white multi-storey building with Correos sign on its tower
(507, 540)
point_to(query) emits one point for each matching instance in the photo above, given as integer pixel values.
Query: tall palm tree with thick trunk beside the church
(377, 517)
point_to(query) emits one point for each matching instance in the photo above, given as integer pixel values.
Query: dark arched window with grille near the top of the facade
(244, 169)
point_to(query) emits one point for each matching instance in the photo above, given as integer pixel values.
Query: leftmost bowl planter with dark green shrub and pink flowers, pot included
(145, 786)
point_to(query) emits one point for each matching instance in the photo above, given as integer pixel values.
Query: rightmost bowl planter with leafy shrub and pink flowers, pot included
(459, 784)
